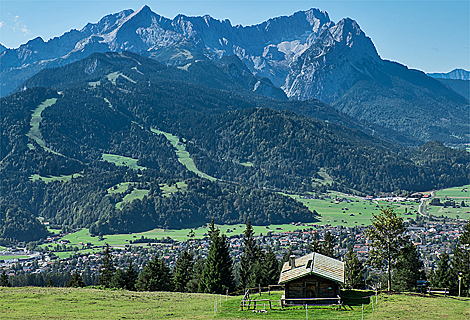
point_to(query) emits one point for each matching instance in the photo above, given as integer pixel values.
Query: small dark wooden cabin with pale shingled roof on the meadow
(312, 279)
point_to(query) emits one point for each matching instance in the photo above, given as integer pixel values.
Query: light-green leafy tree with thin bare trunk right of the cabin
(387, 236)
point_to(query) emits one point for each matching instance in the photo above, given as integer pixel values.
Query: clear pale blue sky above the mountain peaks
(432, 36)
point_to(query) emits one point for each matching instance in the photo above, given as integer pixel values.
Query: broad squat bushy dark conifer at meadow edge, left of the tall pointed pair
(154, 277)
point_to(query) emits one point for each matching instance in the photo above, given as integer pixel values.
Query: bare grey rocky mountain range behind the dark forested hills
(306, 54)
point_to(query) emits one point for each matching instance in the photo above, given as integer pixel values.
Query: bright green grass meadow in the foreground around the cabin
(89, 303)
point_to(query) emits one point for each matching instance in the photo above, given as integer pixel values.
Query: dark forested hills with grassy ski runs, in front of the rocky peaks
(89, 155)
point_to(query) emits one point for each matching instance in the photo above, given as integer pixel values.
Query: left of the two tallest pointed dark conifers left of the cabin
(217, 275)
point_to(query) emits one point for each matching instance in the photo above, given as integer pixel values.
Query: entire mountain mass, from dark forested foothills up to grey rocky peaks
(138, 122)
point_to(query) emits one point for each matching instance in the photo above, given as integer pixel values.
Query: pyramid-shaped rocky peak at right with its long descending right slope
(343, 68)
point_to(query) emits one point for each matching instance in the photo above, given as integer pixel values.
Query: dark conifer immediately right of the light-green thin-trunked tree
(408, 269)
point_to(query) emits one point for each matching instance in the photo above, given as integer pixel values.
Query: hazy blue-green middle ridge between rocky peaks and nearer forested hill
(228, 74)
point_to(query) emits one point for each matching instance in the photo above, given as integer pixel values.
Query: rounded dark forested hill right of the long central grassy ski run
(269, 148)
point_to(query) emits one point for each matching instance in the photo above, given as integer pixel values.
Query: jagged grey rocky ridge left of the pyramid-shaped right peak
(267, 48)
